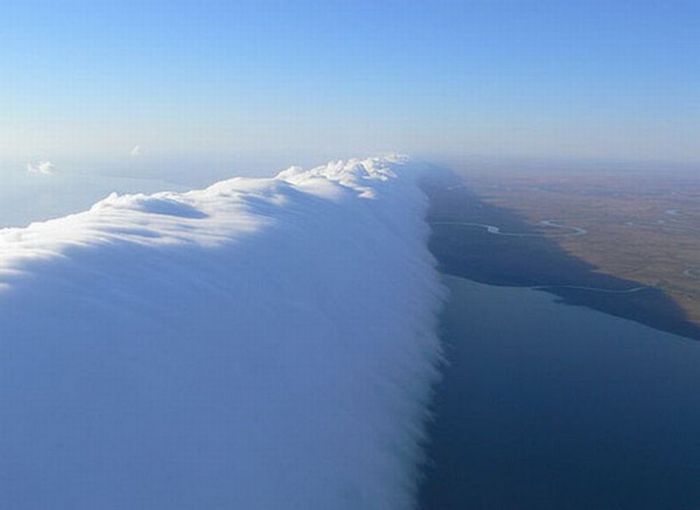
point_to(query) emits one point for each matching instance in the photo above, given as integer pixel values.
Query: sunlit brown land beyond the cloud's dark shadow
(641, 227)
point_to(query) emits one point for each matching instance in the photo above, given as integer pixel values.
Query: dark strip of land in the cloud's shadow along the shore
(492, 245)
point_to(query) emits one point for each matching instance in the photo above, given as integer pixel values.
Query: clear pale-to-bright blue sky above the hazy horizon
(590, 79)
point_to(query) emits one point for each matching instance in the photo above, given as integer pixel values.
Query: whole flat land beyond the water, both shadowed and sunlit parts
(625, 242)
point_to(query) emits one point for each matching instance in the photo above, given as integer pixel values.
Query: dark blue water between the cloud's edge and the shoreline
(546, 405)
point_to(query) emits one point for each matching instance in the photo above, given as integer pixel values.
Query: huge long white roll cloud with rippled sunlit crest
(262, 343)
